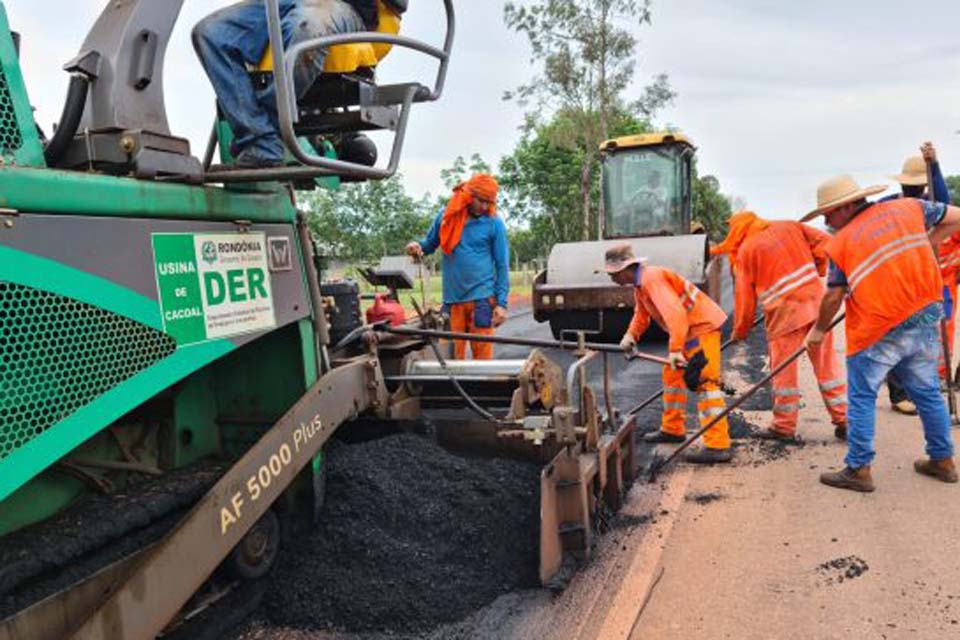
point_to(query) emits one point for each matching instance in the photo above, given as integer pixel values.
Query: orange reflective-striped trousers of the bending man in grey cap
(710, 398)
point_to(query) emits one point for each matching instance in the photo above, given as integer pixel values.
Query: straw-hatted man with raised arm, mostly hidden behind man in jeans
(913, 181)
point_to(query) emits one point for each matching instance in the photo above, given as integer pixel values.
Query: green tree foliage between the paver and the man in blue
(362, 222)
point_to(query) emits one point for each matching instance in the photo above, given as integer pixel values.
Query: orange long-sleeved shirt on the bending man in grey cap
(674, 303)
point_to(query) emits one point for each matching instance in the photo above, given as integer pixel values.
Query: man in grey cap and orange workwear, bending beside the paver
(693, 323)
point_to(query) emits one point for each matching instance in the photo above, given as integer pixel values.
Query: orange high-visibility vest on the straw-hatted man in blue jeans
(890, 267)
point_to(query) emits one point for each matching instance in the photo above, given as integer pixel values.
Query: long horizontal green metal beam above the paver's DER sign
(74, 193)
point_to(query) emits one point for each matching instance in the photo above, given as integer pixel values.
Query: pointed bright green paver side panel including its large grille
(77, 352)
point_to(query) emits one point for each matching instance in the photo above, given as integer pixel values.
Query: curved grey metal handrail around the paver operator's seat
(284, 63)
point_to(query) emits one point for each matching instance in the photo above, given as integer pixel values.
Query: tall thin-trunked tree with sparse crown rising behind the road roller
(586, 63)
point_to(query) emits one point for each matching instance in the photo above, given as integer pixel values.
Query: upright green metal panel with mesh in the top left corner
(19, 141)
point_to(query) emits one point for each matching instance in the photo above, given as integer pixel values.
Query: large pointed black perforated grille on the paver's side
(58, 354)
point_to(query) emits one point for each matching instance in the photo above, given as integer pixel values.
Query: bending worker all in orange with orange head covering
(780, 263)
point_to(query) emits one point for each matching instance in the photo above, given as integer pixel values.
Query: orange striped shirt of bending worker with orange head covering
(781, 267)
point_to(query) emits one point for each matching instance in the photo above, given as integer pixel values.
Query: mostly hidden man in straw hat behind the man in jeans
(914, 181)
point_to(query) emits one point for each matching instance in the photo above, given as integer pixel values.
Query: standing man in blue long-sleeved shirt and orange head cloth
(476, 262)
